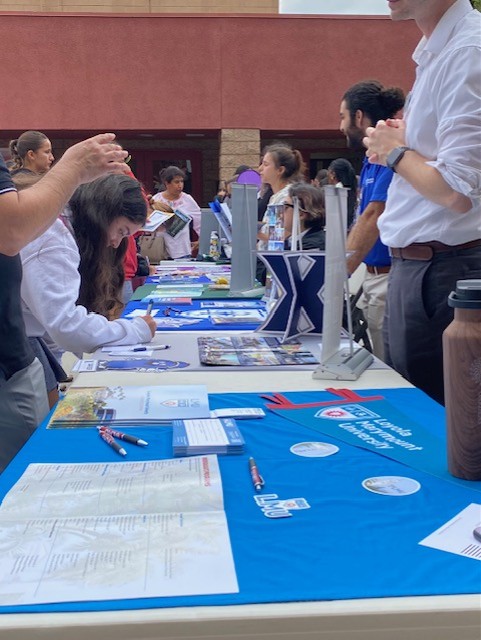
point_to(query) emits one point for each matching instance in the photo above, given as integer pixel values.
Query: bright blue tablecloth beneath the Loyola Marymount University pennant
(351, 543)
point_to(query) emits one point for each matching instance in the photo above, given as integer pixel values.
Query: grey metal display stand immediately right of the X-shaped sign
(338, 363)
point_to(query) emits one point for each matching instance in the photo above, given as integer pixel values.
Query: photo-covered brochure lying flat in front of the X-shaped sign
(252, 350)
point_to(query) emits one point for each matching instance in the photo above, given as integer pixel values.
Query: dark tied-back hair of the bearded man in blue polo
(374, 100)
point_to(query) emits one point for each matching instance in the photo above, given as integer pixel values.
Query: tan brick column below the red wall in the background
(238, 146)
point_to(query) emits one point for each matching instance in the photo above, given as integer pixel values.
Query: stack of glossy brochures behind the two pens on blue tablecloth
(130, 406)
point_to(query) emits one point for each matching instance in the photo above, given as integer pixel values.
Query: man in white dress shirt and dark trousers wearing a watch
(432, 220)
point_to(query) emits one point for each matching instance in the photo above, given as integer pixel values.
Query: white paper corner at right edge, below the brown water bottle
(456, 536)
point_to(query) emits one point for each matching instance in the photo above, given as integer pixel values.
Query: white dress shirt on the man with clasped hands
(443, 123)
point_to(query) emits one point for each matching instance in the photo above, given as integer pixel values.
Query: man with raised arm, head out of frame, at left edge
(23, 217)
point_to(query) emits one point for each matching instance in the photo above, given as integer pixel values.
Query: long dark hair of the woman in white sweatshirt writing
(93, 207)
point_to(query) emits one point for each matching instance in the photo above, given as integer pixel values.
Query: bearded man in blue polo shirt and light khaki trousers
(362, 106)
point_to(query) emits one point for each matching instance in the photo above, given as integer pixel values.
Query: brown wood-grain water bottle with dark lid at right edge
(462, 381)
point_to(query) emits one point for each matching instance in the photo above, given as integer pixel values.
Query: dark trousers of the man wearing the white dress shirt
(417, 313)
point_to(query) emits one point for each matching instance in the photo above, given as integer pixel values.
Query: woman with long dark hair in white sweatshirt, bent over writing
(73, 274)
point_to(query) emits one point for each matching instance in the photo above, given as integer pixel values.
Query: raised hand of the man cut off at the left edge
(94, 157)
